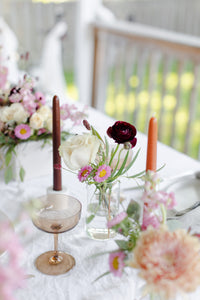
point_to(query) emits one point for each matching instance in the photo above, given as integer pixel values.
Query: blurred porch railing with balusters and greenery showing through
(140, 70)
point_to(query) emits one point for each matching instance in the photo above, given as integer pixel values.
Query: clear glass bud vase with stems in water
(102, 206)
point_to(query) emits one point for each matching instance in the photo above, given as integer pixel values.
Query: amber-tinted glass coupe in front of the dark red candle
(55, 214)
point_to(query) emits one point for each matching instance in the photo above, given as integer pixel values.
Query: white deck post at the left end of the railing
(86, 11)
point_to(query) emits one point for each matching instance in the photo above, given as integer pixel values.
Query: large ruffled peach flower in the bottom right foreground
(169, 262)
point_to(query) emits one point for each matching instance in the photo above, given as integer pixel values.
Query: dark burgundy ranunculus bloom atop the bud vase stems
(123, 132)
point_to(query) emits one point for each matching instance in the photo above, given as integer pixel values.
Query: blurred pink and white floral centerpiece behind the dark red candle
(25, 116)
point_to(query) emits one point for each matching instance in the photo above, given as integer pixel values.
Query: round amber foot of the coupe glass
(51, 264)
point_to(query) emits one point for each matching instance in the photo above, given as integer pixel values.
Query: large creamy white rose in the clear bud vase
(79, 150)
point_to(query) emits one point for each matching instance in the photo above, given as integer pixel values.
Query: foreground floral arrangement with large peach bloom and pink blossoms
(168, 261)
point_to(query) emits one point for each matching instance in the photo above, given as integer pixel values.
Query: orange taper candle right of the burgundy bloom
(151, 161)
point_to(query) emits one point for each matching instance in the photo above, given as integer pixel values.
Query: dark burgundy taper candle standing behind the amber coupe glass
(57, 179)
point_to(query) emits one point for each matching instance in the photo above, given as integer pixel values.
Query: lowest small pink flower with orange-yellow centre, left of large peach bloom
(116, 263)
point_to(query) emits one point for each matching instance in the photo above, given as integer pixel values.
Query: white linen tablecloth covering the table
(78, 284)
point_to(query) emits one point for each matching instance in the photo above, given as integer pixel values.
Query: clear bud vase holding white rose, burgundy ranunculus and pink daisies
(100, 166)
